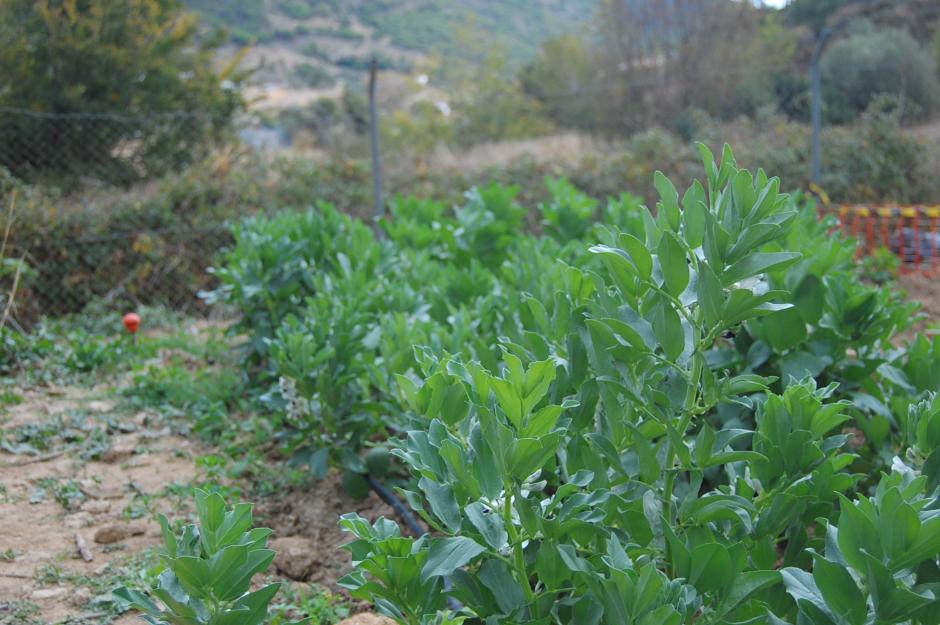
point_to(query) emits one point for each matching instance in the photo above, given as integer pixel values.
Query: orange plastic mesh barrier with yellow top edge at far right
(911, 232)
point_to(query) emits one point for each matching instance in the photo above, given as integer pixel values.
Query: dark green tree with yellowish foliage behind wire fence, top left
(119, 89)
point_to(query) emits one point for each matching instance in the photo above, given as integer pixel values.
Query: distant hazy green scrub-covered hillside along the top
(314, 43)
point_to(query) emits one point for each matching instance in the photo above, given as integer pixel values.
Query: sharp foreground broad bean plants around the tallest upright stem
(618, 464)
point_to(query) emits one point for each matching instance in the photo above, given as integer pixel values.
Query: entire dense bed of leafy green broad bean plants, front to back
(604, 414)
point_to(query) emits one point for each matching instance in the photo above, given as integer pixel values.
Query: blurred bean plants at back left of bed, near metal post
(334, 314)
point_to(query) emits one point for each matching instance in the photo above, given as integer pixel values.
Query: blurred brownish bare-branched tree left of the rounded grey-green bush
(651, 63)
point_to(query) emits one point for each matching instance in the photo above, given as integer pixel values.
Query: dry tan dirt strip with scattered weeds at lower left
(84, 474)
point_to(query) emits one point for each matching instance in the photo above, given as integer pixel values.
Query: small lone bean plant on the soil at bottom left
(208, 570)
